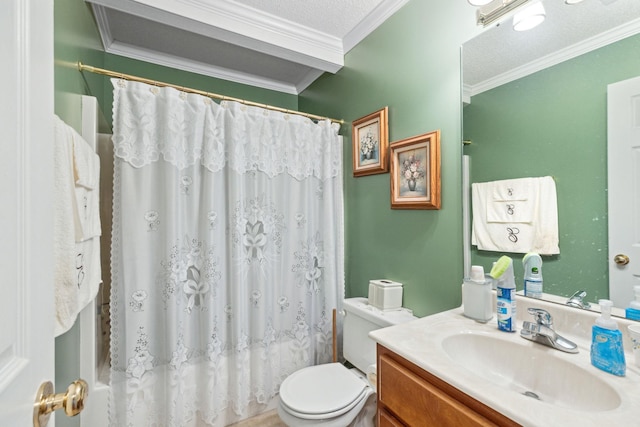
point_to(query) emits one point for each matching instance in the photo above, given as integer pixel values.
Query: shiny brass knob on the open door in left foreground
(47, 401)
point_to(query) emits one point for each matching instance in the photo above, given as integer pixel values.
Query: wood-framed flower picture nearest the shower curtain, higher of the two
(370, 136)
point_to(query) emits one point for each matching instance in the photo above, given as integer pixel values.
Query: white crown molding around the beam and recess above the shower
(233, 23)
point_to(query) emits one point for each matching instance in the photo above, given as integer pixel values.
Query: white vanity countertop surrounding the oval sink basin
(419, 342)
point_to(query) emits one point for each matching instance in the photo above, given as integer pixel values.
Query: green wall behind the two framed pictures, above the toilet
(411, 64)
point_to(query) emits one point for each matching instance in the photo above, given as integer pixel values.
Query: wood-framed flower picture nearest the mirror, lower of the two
(415, 172)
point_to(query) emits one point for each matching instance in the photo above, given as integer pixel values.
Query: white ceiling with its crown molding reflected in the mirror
(500, 54)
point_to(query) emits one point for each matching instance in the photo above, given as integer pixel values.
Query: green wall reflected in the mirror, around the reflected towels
(554, 122)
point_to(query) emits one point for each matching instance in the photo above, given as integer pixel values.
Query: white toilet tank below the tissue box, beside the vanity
(361, 318)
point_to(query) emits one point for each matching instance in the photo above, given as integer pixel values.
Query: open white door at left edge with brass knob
(26, 172)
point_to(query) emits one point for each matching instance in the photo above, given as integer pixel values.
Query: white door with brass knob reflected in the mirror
(624, 189)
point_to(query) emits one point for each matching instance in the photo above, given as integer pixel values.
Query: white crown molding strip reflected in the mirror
(588, 45)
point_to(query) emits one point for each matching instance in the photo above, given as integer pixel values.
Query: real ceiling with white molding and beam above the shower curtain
(282, 45)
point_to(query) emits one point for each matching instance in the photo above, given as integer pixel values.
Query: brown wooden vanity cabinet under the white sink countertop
(410, 396)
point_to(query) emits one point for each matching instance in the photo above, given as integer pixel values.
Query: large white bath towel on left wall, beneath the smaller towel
(76, 272)
